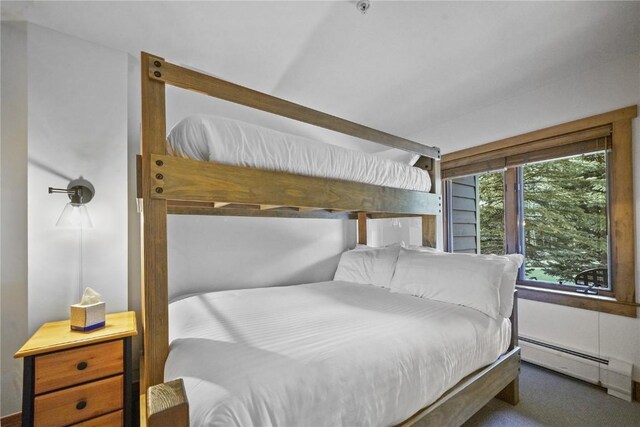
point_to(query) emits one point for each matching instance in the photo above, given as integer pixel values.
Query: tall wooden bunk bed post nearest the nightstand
(154, 229)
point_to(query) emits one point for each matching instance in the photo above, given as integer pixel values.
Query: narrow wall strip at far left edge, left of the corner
(13, 201)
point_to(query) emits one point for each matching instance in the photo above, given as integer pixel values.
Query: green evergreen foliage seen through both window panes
(565, 217)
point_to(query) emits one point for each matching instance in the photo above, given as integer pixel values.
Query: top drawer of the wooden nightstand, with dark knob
(70, 367)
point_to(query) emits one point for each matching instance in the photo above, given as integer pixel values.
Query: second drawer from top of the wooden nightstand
(79, 403)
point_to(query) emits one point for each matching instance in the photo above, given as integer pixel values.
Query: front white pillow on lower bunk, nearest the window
(470, 281)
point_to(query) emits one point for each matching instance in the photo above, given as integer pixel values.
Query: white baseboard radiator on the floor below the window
(611, 373)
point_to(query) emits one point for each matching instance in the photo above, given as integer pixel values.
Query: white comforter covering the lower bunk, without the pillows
(322, 354)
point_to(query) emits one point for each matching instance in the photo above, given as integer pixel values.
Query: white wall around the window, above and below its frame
(610, 86)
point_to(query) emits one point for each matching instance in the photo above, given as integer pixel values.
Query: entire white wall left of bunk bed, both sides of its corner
(65, 116)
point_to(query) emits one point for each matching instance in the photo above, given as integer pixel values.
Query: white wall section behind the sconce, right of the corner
(77, 128)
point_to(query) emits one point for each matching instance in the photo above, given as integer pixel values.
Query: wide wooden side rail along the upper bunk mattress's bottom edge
(174, 178)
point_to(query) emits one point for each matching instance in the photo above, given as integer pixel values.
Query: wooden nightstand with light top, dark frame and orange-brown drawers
(79, 378)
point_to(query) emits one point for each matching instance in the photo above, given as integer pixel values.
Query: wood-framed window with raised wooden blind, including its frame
(562, 197)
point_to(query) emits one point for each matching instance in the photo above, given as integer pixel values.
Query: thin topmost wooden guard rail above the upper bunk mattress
(175, 75)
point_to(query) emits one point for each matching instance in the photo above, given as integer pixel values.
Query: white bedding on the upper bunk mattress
(222, 140)
